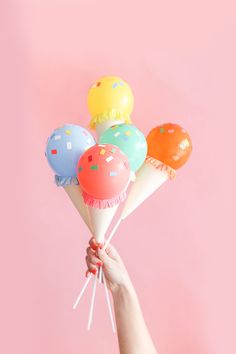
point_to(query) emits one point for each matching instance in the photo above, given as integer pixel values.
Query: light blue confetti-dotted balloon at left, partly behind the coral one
(65, 147)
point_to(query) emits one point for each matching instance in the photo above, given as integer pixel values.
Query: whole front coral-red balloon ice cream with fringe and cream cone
(103, 173)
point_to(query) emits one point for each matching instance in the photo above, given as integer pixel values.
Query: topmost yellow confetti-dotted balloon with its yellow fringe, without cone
(110, 98)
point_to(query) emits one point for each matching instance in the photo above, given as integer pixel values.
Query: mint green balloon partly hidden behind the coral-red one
(130, 140)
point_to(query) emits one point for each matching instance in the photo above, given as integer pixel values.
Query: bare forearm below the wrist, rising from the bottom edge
(133, 334)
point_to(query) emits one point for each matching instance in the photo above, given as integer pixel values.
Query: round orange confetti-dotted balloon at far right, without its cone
(170, 144)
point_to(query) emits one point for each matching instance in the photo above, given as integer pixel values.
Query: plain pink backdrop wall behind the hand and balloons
(179, 247)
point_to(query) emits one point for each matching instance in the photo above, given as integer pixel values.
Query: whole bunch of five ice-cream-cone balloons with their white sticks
(96, 175)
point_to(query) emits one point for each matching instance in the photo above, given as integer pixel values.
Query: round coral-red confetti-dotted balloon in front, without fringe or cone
(103, 171)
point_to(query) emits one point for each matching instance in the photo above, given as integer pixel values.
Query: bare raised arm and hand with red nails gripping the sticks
(133, 335)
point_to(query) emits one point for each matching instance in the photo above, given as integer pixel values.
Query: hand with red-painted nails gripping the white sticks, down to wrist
(112, 265)
